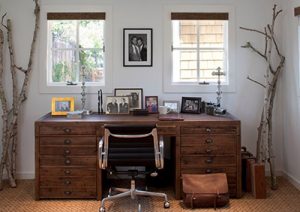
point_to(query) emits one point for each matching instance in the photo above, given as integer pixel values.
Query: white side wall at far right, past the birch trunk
(291, 94)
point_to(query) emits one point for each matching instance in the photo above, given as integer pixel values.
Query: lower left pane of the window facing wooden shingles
(185, 66)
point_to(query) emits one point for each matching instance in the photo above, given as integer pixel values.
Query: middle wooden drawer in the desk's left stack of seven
(68, 161)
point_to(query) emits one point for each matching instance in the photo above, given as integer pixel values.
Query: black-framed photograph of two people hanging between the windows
(137, 47)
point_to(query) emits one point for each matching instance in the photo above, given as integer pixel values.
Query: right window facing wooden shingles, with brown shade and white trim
(200, 43)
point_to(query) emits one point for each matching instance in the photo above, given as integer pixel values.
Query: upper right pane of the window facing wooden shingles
(211, 34)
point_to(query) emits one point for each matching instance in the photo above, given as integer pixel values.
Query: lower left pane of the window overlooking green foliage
(64, 67)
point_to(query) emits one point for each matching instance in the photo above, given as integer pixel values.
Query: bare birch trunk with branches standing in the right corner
(264, 151)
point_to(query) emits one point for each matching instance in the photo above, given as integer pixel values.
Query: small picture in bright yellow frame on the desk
(62, 105)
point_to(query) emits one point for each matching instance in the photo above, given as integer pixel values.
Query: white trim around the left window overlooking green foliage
(44, 87)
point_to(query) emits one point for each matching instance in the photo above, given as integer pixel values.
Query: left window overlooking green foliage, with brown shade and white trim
(74, 38)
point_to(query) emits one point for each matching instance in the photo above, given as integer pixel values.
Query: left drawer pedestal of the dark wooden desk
(66, 160)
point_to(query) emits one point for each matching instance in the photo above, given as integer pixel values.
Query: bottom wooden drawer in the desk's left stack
(68, 192)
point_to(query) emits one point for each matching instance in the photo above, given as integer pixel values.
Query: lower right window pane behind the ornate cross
(210, 60)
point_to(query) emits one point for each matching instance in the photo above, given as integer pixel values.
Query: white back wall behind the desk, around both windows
(245, 103)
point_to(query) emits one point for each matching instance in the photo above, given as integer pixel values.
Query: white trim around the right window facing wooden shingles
(174, 87)
